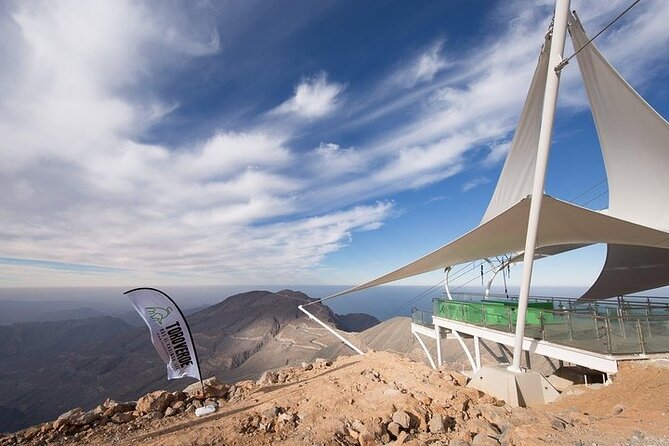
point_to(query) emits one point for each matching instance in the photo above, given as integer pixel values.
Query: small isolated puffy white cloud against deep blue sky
(314, 98)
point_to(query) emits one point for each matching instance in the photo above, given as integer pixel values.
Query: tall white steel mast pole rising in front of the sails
(543, 149)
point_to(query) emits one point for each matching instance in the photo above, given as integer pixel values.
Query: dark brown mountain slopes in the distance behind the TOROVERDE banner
(51, 366)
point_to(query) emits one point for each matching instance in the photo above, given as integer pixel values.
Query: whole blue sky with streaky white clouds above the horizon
(229, 143)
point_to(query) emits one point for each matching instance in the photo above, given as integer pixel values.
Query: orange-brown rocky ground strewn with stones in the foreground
(379, 398)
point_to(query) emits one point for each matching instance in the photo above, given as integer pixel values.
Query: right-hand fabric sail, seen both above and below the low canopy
(635, 146)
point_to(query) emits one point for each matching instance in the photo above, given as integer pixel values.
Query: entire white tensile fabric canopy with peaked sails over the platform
(633, 139)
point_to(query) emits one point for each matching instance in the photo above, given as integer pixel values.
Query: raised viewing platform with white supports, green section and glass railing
(594, 334)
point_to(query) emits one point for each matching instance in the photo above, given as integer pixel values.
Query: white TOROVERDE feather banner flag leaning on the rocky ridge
(170, 333)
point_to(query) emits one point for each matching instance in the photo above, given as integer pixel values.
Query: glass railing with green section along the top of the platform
(609, 332)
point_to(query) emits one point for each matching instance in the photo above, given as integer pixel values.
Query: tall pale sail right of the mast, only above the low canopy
(633, 137)
